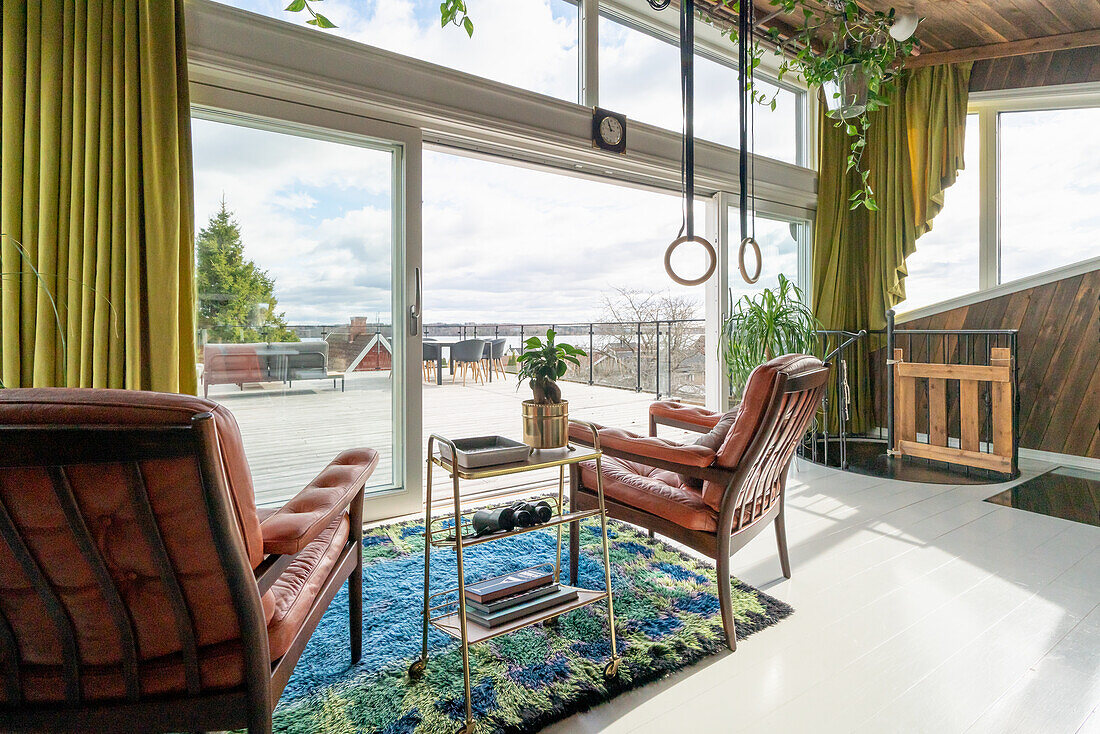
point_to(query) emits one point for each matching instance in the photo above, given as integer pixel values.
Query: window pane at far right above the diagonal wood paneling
(1050, 187)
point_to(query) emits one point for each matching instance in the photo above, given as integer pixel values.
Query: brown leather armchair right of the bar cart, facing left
(719, 494)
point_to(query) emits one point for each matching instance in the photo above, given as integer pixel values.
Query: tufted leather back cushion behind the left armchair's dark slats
(103, 492)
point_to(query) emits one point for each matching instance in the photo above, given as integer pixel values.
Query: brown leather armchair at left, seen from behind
(140, 589)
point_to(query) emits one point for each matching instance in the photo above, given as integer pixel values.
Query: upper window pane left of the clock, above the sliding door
(531, 45)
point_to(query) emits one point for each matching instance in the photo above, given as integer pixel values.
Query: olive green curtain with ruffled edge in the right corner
(915, 151)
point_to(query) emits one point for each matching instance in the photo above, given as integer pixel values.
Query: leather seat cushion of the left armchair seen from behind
(294, 594)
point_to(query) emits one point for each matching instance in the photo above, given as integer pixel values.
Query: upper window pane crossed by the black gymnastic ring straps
(640, 76)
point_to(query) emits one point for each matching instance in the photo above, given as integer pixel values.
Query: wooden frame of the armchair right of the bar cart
(755, 489)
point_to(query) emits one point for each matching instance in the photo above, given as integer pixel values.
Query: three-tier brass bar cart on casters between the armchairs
(450, 616)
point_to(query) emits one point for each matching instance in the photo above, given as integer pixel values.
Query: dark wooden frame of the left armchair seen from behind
(251, 705)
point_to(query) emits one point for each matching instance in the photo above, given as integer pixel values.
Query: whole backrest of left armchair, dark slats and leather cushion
(125, 575)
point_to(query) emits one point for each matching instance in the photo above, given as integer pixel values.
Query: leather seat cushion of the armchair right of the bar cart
(651, 490)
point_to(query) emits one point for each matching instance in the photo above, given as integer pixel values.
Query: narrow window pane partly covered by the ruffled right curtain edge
(945, 265)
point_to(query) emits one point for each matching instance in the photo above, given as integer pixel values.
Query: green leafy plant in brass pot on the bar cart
(546, 415)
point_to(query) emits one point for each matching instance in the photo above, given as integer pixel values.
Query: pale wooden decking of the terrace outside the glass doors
(290, 435)
